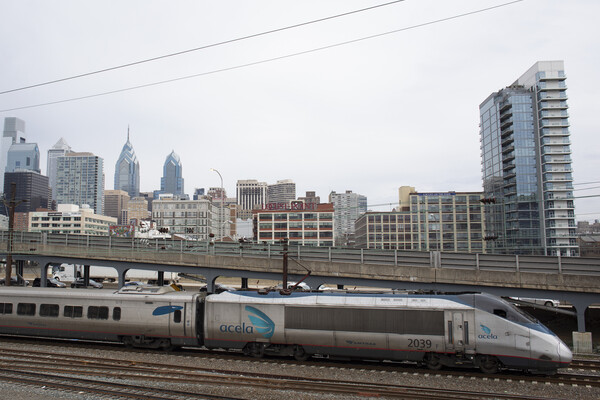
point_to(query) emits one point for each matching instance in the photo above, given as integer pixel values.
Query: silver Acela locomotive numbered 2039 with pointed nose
(435, 330)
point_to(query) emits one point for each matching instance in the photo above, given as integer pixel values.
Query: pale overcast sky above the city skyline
(370, 116)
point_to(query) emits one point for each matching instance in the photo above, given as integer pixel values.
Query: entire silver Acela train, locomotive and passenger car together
(439, 330)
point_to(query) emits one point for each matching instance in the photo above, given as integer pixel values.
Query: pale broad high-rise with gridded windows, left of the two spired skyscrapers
(80, 180)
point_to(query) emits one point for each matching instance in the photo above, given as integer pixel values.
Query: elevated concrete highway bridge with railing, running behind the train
(572, 279)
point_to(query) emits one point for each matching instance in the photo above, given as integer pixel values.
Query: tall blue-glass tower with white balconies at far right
(526, 165)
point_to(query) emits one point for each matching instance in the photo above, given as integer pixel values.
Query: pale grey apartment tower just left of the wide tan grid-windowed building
(347, 208)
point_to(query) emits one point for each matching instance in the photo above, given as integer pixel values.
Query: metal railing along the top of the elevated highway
(29, 242)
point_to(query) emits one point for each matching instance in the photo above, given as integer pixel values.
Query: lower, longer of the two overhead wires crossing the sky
(267, 60)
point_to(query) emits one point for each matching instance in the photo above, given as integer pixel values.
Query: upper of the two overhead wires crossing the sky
(255, 35)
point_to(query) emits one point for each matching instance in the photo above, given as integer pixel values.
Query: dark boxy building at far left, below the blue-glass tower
(30, 186)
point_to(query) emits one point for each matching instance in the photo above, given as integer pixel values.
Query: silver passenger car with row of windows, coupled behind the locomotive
(155, 317)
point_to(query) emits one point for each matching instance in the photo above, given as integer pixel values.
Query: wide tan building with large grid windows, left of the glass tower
(448, 221)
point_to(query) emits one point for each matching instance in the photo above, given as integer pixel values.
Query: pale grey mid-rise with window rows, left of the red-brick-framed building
(192, 219)
